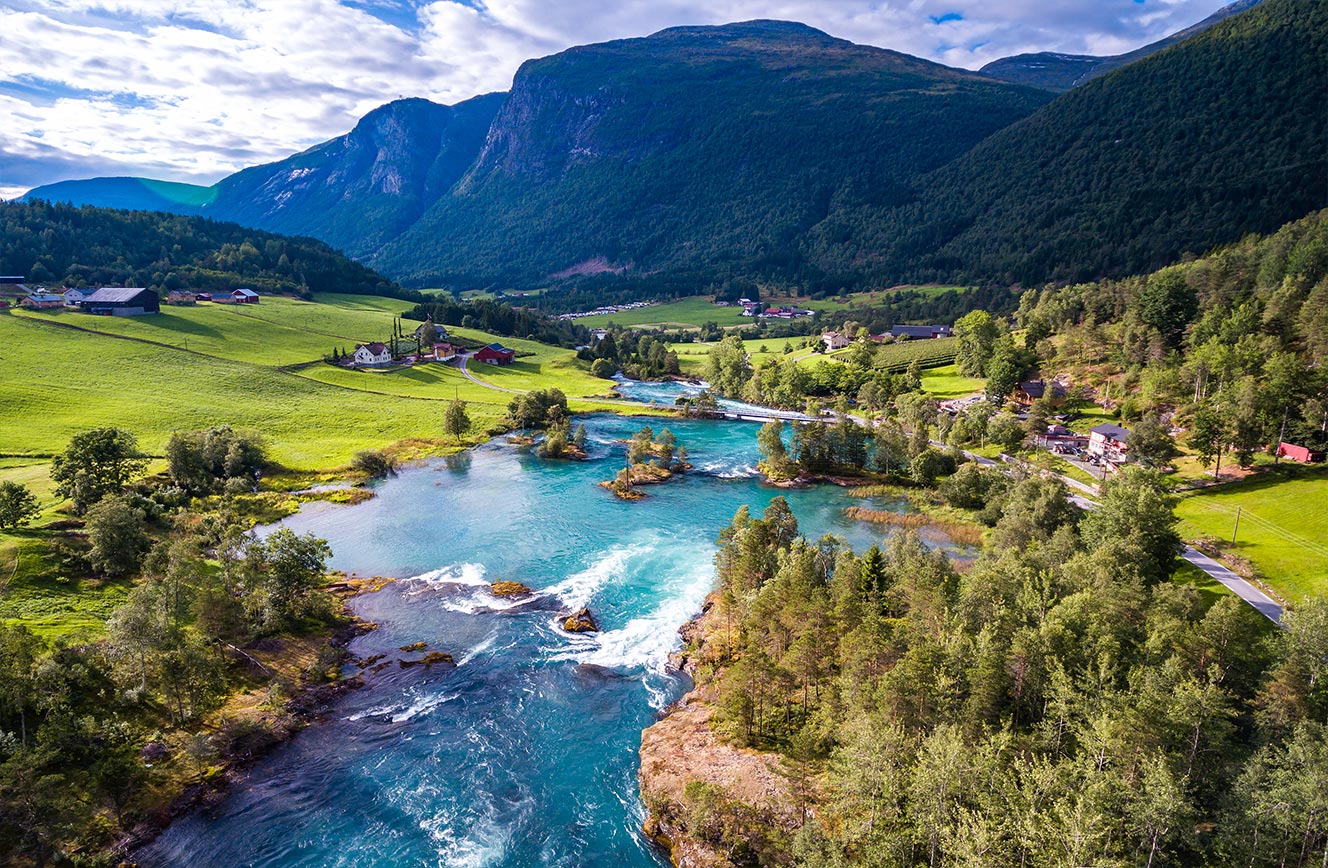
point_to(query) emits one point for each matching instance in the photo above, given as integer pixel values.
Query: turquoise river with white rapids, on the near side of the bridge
(524, 753)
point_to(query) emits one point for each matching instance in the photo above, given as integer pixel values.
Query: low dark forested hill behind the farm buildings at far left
(91, 248)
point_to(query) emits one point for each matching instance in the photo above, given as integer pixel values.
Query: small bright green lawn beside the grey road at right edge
(1284, 526)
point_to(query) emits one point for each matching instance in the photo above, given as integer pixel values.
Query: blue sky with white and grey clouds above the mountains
(196, 90)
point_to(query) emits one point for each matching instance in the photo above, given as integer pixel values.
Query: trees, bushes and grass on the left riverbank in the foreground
(149, 642)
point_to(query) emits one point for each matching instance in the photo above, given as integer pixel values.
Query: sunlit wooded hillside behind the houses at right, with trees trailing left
(1229, 348)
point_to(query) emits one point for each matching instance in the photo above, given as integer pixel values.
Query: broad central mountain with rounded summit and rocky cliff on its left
(695, 153)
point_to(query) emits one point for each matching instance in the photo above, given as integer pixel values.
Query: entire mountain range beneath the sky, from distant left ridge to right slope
(770, 152)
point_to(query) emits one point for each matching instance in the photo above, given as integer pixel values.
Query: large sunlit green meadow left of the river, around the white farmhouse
(232, 372)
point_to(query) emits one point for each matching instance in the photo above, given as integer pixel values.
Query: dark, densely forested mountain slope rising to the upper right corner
(1196, 147)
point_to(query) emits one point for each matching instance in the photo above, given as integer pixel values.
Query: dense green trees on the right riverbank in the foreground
(1060, 703)
